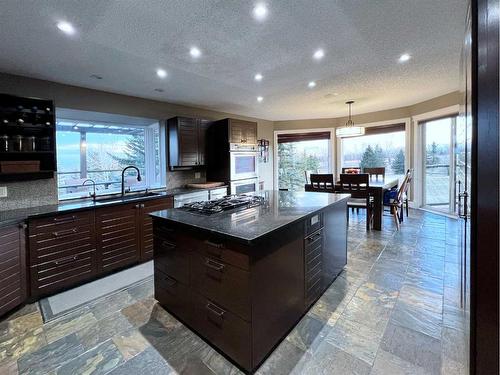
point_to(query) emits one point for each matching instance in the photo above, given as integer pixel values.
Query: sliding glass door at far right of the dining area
(441, 167)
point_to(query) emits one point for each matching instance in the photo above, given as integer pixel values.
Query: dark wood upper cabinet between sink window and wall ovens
(186, 140)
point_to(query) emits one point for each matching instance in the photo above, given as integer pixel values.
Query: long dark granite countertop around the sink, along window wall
(13, 217)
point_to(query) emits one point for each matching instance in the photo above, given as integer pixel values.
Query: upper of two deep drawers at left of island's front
(172, 259)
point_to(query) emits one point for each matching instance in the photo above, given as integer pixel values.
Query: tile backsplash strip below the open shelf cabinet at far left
(25, 194)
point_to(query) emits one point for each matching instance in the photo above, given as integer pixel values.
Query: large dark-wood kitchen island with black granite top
(243, 278)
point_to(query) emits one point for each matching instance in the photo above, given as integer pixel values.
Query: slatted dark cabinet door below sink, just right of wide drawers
(117, 236)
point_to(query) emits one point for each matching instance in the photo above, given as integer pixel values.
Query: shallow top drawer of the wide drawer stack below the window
(60, 222)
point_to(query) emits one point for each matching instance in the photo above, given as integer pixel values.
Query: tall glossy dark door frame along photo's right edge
(485, 187)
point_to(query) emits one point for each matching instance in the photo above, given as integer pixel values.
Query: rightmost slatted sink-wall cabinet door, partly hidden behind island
(146, 224)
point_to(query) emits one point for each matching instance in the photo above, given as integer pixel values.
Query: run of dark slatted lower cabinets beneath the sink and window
(68, 249)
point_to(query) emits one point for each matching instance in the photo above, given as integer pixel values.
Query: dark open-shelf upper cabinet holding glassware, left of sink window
(27, 138)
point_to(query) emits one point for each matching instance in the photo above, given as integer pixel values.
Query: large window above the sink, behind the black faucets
(98, 146)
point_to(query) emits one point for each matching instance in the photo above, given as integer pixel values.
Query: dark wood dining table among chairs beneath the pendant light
(376, 189)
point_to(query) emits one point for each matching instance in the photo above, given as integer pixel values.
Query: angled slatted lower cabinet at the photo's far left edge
(12, 268)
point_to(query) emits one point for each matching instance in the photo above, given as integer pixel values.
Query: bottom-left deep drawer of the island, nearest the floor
(173, 295)
